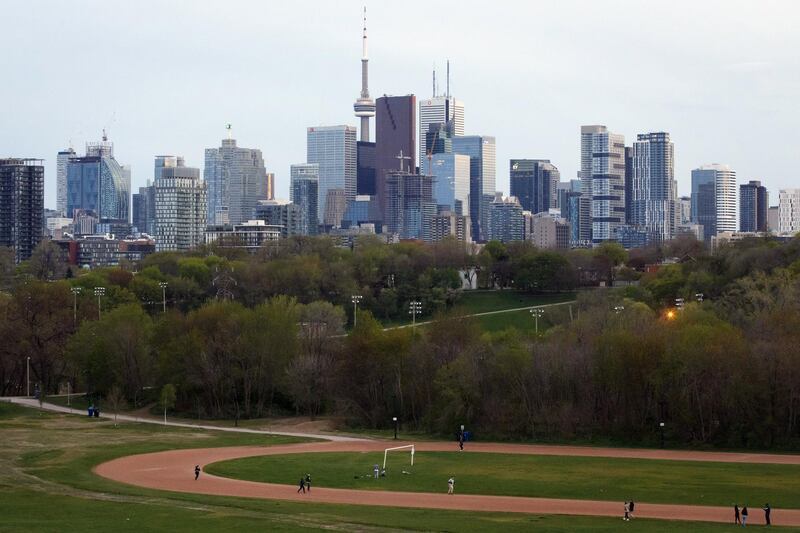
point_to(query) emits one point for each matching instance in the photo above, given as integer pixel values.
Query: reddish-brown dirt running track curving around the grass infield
(172, 470)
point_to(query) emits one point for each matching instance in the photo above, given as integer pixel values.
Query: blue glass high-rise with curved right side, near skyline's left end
(97, 183)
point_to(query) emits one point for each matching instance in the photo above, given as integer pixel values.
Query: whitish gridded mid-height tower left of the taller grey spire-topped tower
(180, 205)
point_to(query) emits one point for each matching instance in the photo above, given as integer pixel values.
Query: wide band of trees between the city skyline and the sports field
(724, 371)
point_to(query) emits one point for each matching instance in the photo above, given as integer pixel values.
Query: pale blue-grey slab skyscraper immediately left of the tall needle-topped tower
(333, 148)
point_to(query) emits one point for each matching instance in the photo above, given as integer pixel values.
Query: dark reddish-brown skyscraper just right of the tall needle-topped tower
(395, 140)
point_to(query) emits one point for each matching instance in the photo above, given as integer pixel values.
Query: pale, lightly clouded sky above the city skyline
(164, 77)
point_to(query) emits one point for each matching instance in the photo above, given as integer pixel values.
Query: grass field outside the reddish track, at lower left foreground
(46, 484)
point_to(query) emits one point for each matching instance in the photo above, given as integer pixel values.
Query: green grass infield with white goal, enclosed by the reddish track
(591, 478)
